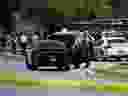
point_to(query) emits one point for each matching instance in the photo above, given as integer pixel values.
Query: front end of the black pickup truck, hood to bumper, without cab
(49, 55)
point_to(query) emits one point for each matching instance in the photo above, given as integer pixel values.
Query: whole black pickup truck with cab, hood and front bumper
(56, 53)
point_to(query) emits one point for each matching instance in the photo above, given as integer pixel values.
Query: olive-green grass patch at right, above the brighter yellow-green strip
(115, 72)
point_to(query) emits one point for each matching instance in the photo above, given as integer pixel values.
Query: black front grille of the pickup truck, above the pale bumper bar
(48, 58)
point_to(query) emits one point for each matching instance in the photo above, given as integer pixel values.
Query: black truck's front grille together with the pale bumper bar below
(48, 59)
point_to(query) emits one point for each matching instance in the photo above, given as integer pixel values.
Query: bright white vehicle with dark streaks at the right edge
(114, 44)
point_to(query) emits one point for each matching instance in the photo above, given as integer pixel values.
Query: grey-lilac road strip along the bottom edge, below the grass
(52, 92)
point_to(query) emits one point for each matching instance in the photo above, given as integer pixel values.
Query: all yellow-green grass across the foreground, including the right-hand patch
(26, 81)
